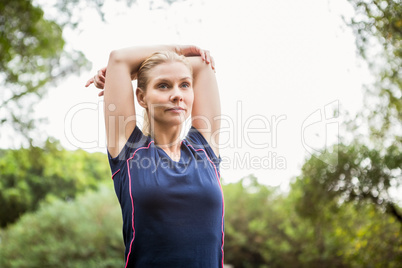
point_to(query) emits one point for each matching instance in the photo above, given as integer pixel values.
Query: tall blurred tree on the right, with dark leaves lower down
(368, 167)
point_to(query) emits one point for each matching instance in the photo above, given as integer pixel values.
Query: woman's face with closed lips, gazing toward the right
(169, 95)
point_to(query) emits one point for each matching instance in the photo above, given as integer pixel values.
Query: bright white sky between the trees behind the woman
(282, 66)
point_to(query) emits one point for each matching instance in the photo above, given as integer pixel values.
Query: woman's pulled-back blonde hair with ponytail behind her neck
(144, 77)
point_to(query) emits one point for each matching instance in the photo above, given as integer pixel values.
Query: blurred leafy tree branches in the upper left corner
(32, 54)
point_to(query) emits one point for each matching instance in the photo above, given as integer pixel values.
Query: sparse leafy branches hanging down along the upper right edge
(378, 29)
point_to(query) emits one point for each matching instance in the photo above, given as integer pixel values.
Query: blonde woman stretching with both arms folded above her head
(169, 189)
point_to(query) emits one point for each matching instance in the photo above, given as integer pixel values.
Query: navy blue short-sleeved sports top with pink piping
(173, 211)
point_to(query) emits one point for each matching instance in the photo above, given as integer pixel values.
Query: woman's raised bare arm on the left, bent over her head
(120, 117)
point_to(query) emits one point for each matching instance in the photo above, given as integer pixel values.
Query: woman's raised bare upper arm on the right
(206, 112)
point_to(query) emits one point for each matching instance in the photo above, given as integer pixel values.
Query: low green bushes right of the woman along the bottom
(266, 229)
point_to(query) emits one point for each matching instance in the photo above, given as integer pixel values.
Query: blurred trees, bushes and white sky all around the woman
(311, 140)
